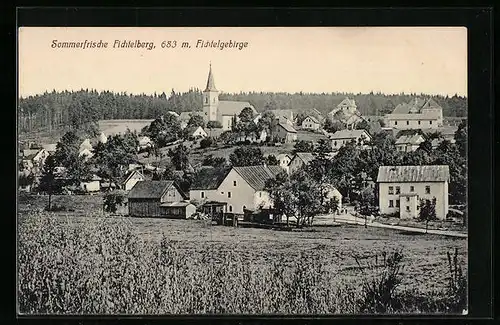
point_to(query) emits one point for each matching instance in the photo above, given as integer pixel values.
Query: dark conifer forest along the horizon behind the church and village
(55, 109)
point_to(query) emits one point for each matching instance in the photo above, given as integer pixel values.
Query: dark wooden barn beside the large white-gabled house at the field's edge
(146, 198)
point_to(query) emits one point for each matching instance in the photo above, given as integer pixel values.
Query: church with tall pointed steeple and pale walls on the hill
(220, 110)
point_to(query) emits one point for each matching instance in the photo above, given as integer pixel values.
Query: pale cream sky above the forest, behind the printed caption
(430, 60)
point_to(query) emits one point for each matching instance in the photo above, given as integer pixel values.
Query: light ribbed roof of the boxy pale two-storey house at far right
(432, 173)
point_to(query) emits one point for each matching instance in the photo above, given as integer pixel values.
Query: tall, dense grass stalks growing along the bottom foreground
(103, 266)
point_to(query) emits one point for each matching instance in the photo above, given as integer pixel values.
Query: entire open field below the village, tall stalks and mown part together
(86, 263)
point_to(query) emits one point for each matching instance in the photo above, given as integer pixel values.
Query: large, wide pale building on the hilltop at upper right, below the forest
(417, 114)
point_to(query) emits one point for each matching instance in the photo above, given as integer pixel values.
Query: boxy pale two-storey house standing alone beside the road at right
(401, 189)
